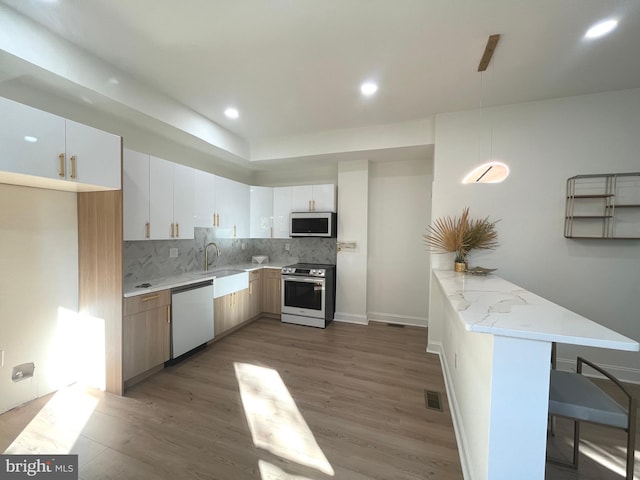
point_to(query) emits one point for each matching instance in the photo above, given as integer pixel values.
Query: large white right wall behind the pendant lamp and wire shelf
(544, 143)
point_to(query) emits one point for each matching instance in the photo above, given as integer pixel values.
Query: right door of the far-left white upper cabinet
(93, 156)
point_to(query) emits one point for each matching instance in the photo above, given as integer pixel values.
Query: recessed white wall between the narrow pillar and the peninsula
(398, 264)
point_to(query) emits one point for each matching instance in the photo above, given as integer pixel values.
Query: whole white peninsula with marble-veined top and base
(494, 341)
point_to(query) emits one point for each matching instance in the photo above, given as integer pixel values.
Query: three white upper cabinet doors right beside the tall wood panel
(158, 198)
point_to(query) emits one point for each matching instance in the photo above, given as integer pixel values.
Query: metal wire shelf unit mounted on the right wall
(603, 206)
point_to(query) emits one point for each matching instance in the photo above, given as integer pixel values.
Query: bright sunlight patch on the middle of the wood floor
(275, 422)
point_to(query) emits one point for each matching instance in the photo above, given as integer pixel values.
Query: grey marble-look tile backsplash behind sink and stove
(148, 259)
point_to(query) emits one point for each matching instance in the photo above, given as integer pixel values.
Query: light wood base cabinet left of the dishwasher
(146, 333)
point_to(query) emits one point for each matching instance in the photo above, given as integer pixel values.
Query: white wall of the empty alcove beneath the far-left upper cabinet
(39, 265)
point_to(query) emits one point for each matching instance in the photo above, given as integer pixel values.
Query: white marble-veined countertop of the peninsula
(490, 304)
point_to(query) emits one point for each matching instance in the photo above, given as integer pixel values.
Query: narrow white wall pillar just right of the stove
(351, 265)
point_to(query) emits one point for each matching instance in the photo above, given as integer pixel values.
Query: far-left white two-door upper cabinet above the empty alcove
(46, 146)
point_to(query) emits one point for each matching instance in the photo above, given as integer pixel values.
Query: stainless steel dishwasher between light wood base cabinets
(191, 317)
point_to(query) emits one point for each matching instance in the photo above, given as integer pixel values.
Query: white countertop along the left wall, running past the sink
(131, 289)
